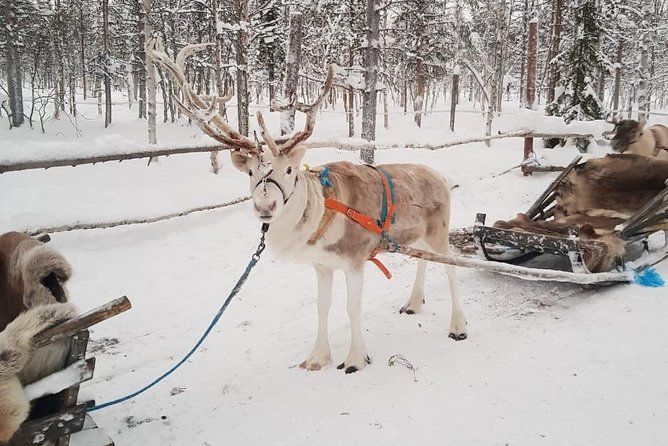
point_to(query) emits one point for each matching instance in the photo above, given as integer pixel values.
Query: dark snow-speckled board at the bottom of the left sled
(50, 428)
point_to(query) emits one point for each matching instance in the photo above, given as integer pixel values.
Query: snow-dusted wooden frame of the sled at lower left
(67, 418)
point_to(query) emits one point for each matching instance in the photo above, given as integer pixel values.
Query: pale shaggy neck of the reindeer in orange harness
(301, 216)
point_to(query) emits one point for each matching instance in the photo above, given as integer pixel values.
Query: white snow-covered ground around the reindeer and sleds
(544, 364)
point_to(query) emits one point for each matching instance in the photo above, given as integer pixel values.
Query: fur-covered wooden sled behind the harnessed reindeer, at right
(520, 246)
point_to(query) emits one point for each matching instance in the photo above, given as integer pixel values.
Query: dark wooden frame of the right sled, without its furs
(494, 244)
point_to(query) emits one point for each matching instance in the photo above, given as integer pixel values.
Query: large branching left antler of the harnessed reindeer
(196, 107)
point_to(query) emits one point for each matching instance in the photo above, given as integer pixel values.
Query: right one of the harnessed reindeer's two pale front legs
(357, 357)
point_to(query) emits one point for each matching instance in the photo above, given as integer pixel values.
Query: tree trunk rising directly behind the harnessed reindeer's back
(371, 68)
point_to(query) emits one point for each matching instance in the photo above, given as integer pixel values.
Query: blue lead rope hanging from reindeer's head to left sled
(216, 318)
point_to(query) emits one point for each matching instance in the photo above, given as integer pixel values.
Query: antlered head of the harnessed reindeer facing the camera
(272, 167)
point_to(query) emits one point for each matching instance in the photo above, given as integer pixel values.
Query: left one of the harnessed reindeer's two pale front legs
(320, 356)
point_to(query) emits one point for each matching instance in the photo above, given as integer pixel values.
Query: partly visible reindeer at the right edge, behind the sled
(632, 137)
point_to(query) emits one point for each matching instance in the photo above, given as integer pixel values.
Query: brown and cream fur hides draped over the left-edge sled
(32, 298)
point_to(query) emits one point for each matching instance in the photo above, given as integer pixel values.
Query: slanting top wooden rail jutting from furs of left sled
(69, 328)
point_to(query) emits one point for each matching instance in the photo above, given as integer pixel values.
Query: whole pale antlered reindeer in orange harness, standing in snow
(302, 225)
